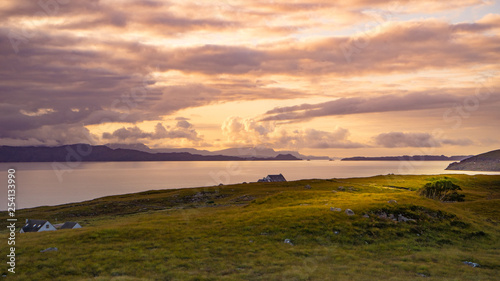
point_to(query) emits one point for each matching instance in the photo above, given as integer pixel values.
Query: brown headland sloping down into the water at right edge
(489, 161)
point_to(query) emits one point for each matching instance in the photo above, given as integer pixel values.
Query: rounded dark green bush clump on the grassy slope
(442, 190)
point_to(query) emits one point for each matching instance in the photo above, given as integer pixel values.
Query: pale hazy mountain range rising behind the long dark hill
(245, 152)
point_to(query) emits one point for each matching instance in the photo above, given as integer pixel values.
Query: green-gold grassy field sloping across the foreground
(237, 232)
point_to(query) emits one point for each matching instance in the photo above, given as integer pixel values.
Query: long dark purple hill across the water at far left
(88, 153)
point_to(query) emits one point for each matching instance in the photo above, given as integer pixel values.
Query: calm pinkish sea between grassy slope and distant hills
(46, 184)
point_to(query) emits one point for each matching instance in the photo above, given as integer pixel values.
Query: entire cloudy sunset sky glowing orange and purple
(329, 78)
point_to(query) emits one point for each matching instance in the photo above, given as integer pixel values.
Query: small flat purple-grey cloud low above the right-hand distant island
(400, 139)
